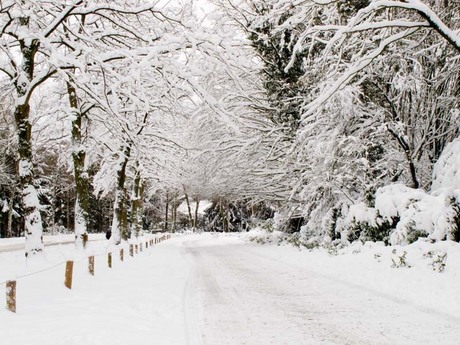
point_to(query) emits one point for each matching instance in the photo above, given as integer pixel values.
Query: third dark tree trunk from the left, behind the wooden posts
(120, 227)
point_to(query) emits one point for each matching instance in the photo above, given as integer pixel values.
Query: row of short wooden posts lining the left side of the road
(133, 249)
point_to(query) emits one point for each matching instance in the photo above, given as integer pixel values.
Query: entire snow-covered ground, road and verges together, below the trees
(218, 289)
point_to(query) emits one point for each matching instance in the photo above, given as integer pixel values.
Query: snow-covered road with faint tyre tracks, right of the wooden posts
(250, 296)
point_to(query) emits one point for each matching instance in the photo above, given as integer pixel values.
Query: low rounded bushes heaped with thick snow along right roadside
(405, 214)
